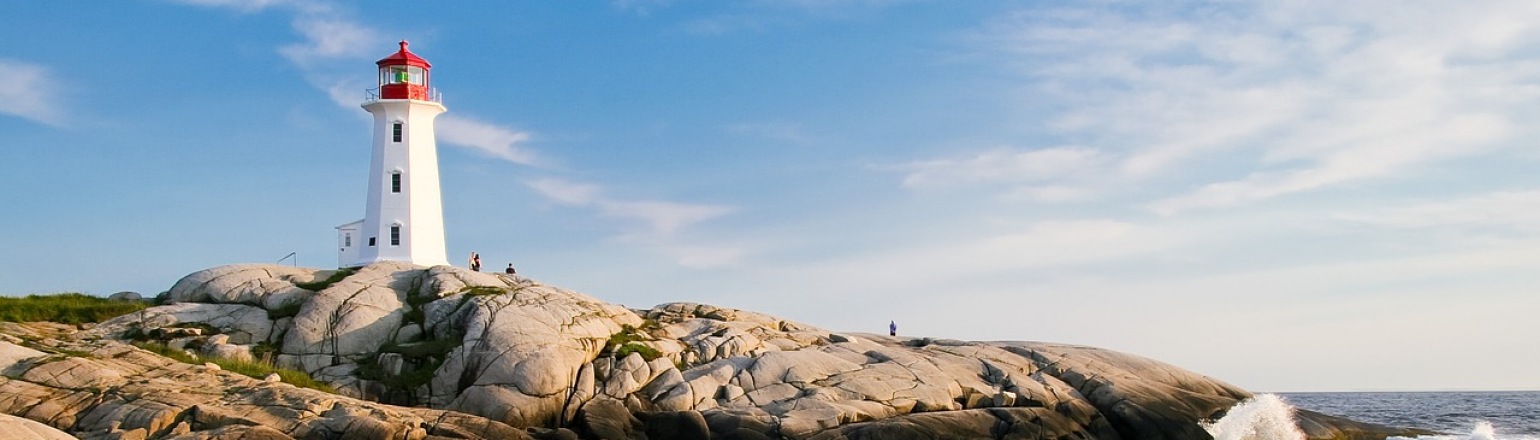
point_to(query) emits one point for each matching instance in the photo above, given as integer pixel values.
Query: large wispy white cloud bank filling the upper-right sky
(1299, 96)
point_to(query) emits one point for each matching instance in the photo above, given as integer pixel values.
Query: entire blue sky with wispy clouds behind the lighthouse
(1290, 196)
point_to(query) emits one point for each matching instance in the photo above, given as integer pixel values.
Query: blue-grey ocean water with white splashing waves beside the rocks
(1461, 416)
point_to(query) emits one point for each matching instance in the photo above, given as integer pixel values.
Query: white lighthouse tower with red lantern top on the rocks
(404, 215)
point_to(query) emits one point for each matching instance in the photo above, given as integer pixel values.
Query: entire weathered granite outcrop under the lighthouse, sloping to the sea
(500, 355)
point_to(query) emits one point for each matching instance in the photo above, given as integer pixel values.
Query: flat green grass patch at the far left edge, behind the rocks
(70, 308)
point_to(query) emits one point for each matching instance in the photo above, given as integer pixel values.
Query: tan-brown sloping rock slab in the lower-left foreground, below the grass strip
(110, 390)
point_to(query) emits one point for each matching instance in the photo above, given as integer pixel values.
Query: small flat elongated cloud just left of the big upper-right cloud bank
(1003, 165)
